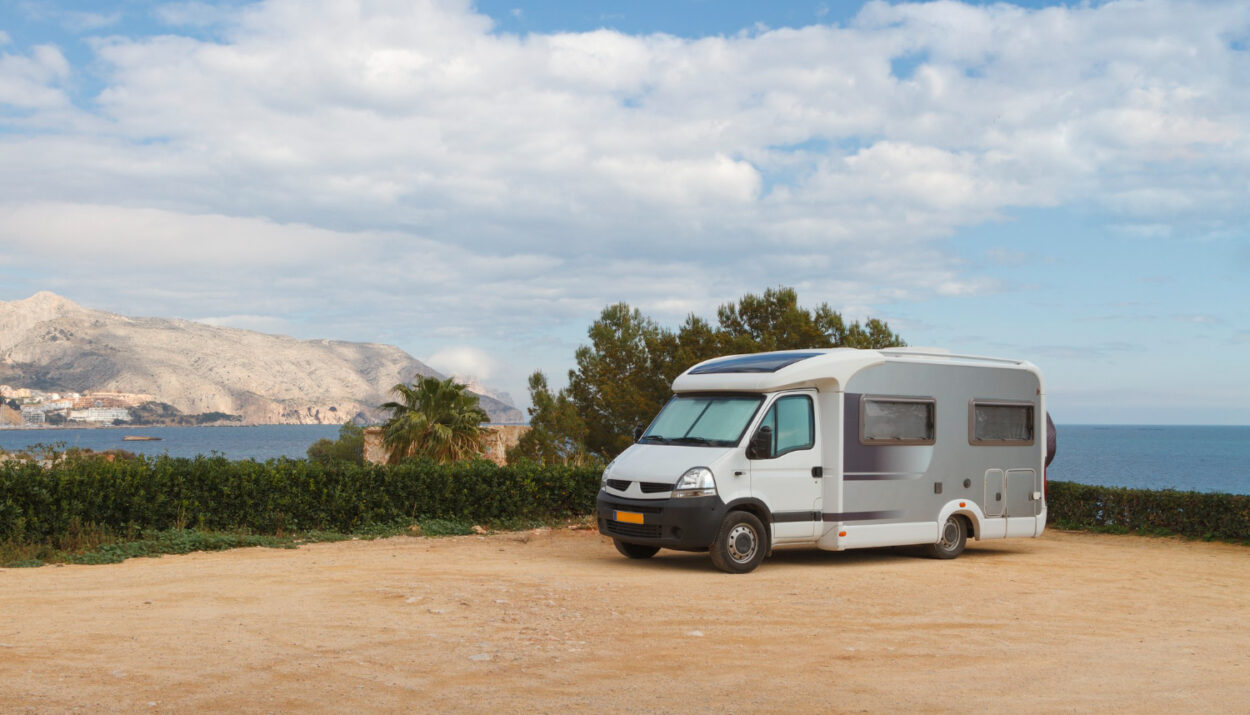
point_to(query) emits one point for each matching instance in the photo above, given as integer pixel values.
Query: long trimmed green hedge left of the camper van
(277, 497)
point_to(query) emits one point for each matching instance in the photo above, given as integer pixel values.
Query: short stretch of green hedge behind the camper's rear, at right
(1186, 513)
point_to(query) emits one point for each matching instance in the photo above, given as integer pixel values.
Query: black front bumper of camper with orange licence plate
(687, 524)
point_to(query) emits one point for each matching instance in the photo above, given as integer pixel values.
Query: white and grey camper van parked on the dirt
(836, 449)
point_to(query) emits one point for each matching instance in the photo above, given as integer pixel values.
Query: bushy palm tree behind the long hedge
(436, 419)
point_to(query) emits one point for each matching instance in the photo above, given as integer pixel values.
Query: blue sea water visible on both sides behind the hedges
(1141, 457)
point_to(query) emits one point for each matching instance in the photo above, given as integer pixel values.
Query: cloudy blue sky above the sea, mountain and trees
(1066, 183)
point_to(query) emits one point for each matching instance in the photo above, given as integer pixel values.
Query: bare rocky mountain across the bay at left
(51, 343)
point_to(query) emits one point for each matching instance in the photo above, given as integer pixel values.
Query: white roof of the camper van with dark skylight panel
(816, 368)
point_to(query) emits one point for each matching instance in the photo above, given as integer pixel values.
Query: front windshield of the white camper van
(711, 421)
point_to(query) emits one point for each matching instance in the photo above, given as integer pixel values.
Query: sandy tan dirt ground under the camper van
(558, 622)
